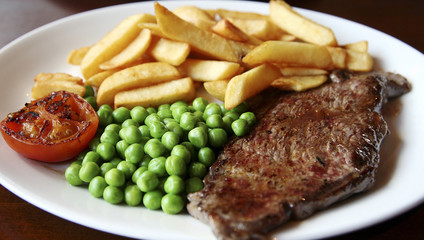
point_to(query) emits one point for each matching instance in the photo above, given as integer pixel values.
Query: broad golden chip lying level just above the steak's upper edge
(297, 53)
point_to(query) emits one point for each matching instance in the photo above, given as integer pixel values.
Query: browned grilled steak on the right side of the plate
(307, 151)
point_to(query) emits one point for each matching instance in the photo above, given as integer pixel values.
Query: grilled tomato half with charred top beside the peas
(51, 129)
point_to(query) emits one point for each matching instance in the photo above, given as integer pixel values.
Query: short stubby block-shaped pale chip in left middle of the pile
(169, 51)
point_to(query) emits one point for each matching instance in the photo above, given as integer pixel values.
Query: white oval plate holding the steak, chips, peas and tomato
(45, 50)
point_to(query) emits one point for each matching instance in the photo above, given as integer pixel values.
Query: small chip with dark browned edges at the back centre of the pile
(226, 29)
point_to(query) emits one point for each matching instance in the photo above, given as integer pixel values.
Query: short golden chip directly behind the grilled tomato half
(45, 83)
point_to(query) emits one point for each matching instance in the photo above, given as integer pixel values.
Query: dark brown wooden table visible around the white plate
(21, 220)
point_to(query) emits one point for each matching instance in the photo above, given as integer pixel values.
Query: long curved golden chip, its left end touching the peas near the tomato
(142, 75)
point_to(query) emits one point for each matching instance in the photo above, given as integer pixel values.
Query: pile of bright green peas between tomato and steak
(156, 156)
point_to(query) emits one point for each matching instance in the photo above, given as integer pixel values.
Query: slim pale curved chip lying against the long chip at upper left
(131, 53)
